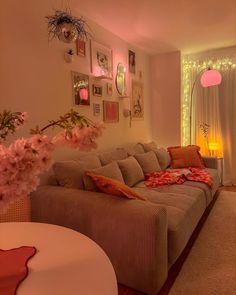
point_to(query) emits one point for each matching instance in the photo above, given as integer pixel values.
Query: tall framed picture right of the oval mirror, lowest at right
(137, 102)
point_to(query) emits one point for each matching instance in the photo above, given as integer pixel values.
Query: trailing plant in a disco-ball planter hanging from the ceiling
(66, 28)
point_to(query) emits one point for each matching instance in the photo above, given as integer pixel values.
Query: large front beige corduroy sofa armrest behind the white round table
(133, 233)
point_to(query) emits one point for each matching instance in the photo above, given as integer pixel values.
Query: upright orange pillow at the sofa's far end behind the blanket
(184, 157)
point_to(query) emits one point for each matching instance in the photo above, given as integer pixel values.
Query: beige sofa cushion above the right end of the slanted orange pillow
(131, 171)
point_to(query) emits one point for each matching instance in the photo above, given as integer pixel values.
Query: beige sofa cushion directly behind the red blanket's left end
(148, 161)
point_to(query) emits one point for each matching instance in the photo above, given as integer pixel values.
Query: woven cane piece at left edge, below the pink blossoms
(18, 211)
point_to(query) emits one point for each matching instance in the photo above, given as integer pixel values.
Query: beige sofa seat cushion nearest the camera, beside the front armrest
(184, 210)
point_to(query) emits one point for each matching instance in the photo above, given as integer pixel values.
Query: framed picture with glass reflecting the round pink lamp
(80, 88)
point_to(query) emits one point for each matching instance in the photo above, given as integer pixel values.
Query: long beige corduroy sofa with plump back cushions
(142, 239)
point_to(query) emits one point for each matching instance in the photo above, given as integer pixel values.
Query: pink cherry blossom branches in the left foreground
(25, 159)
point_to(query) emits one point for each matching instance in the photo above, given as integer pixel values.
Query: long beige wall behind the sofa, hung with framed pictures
(35, 78)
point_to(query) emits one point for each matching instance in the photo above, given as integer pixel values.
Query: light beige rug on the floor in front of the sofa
(210, 268)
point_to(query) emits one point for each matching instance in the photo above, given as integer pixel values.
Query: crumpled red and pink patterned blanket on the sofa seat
(178, 176)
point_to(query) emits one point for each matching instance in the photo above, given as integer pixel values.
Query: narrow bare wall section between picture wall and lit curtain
(166, 102)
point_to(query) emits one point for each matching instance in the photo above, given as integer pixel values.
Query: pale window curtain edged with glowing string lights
(215, 106)
